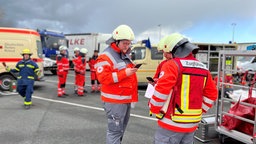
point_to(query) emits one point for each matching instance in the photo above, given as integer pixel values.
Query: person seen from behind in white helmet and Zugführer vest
(189, 88)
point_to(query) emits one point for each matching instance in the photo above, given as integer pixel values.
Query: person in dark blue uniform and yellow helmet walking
(28, 71)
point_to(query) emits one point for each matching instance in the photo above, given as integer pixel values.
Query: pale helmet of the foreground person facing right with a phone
(123, 32)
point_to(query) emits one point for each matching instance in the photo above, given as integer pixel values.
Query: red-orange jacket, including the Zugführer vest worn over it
(193, 92)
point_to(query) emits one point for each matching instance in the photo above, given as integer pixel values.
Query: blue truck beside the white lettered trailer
(51, 40)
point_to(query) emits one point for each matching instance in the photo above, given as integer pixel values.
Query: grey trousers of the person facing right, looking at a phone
(118, 116)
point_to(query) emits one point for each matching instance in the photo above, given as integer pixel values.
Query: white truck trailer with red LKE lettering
(90, 41)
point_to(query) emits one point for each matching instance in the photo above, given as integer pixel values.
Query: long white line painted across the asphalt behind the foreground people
(90, 107)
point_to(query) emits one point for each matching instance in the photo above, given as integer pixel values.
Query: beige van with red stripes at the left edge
(12, 42)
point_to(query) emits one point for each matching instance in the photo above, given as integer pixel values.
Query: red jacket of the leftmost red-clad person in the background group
(62, 64)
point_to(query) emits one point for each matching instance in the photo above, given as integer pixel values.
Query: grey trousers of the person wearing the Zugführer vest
(164, 136)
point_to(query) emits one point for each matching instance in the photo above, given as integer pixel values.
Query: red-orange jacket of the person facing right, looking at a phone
(117, 87)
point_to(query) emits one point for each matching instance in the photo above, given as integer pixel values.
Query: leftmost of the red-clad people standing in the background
(62, 70)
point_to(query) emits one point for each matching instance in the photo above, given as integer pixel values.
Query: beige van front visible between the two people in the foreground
(150, 59)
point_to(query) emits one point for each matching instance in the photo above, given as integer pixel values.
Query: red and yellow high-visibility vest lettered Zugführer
(186, 106)
